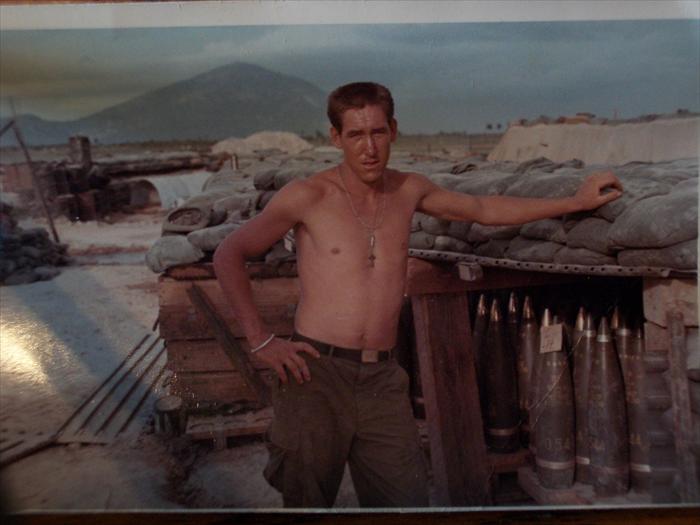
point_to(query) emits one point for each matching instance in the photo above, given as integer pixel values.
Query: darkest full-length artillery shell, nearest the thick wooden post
(502, 413)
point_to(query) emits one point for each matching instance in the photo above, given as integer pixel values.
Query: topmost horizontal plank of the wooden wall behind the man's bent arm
(266, 292)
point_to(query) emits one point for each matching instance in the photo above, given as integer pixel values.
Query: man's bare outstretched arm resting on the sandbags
(597, 189)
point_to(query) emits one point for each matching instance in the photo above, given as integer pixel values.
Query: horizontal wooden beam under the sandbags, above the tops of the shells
(425, 277)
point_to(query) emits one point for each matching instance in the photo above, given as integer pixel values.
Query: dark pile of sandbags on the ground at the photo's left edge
(28, 255)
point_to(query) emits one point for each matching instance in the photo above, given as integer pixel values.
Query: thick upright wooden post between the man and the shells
(461, 471)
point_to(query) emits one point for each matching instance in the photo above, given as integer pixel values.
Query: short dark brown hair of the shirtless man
(356, 96)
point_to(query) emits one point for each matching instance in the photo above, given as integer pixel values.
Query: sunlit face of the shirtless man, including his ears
(366, 141)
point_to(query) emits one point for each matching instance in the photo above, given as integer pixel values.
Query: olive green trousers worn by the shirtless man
(355, 413)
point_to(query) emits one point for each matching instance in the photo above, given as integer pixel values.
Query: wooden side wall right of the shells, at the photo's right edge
(672, 389)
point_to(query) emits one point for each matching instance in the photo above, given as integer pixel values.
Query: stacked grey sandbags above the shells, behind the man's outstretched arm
(654, 223)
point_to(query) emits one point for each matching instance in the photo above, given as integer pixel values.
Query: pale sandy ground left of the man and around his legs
(59, 340)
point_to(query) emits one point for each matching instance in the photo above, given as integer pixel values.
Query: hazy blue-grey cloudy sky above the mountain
(444, 76)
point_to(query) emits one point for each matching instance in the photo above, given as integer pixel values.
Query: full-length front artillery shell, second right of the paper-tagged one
(607, 419)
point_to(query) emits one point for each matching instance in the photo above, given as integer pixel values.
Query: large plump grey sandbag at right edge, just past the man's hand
(657, 222)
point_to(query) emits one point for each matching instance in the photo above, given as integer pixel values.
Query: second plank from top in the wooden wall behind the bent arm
(184, 322)
